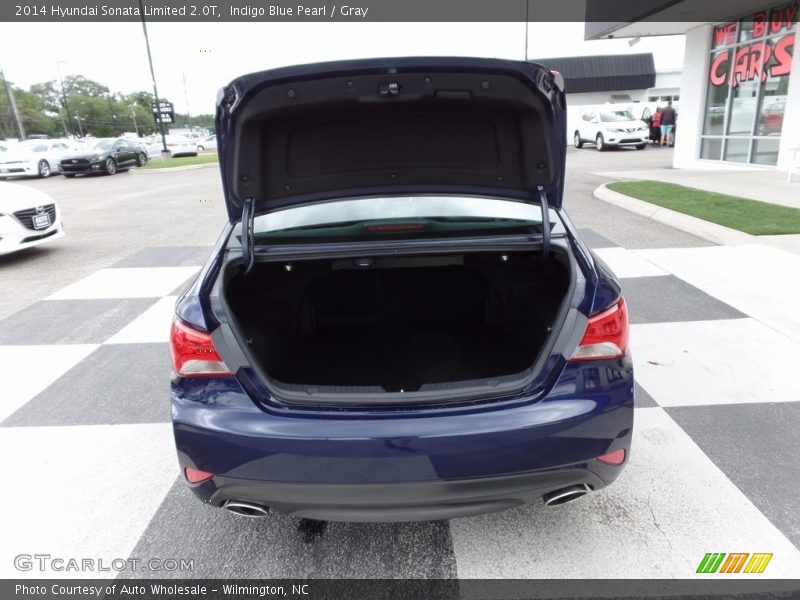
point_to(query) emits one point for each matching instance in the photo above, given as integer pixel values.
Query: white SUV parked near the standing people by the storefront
(611, 127)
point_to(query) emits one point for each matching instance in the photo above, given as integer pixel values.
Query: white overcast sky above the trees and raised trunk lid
(210, 55)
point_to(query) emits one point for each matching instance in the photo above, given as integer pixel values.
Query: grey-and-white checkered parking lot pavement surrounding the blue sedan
(84, 369)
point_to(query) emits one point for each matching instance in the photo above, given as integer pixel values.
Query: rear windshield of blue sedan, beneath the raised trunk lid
(399, 217)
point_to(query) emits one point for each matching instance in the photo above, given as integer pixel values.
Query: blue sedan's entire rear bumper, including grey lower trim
(421, 463)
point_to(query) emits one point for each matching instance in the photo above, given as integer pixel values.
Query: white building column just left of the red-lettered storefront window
(691, 110)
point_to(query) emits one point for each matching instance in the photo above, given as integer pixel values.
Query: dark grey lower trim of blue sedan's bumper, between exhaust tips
(393, 502)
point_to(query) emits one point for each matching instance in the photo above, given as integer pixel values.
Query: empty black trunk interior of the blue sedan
(398, 324)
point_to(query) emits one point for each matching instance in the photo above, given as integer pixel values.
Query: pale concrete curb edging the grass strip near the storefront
(712, 232)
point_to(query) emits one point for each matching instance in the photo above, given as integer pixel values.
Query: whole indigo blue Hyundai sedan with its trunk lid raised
(399, 321)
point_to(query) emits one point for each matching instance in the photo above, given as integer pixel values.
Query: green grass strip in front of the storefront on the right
(750, 216)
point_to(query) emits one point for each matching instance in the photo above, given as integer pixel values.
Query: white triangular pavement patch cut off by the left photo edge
(27, 370)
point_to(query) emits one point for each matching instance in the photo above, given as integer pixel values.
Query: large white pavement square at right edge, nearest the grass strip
(760, 281)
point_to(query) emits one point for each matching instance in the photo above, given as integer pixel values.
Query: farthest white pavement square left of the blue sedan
(144, 282)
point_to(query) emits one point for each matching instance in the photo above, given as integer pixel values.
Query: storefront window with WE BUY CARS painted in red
(748, 79)
